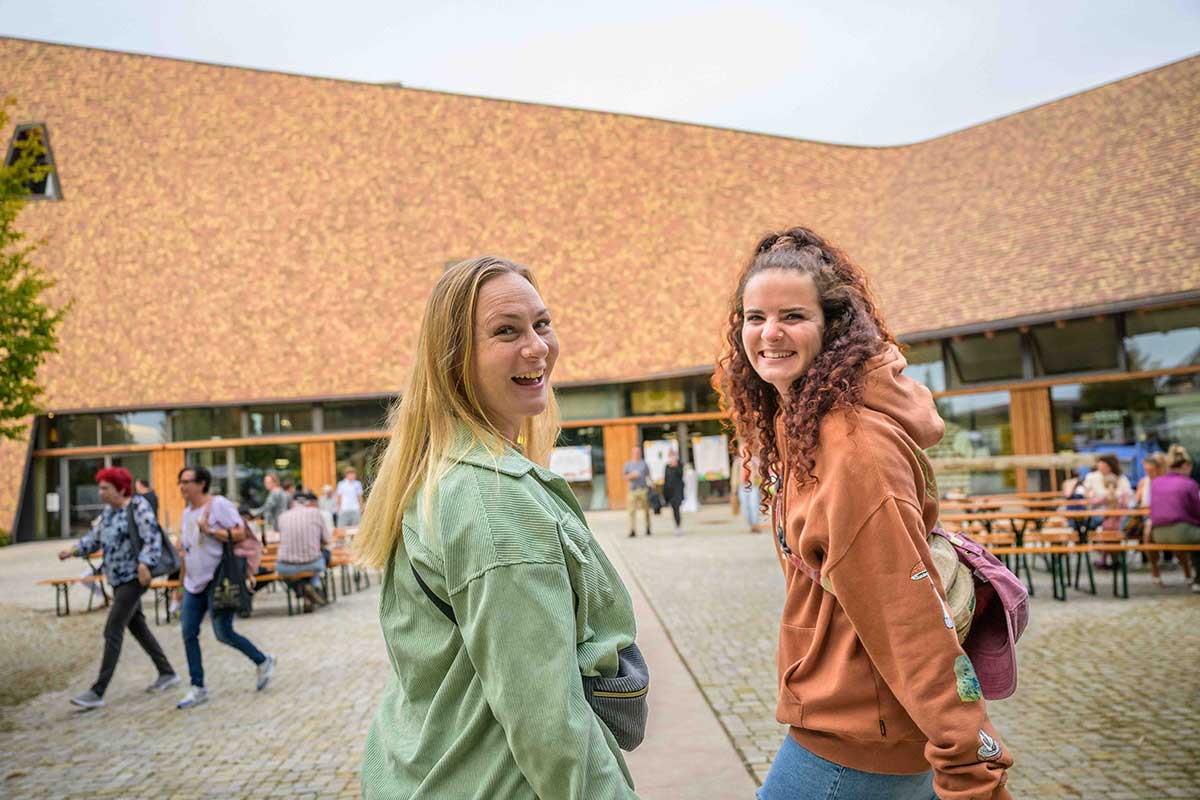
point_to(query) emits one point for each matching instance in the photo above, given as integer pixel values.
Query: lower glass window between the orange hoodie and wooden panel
(977, 426)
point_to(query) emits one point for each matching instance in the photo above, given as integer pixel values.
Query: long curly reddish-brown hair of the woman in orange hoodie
(854, 333)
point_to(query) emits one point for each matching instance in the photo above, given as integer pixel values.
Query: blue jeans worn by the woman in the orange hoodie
(796, 774)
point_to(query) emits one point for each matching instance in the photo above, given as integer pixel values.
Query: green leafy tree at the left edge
(28, 326)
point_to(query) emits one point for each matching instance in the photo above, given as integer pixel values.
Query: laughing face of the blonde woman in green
(515, 350)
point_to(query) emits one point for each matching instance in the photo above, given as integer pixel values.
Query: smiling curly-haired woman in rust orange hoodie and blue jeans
(880, 699)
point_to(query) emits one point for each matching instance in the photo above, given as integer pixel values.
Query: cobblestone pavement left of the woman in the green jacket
(301, 738)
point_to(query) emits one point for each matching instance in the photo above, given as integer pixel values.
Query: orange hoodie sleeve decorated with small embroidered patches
(890, 593)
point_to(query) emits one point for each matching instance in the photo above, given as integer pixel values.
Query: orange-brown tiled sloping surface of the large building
(232, 234)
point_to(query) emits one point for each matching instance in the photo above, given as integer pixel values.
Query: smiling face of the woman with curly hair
(783, 326)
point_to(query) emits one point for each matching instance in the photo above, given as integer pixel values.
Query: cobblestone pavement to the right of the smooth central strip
(1109, 699)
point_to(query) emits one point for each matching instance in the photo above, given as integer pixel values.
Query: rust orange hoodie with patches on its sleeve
(871, 676)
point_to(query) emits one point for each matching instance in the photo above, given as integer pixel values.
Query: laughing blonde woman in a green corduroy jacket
(519, 604)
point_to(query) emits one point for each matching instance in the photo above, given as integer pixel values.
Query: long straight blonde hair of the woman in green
(440, 401)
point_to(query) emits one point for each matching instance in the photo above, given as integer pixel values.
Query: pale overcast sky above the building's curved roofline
(844, 71)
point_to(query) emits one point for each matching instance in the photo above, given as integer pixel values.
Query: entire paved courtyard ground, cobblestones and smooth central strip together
(1109, 705)
